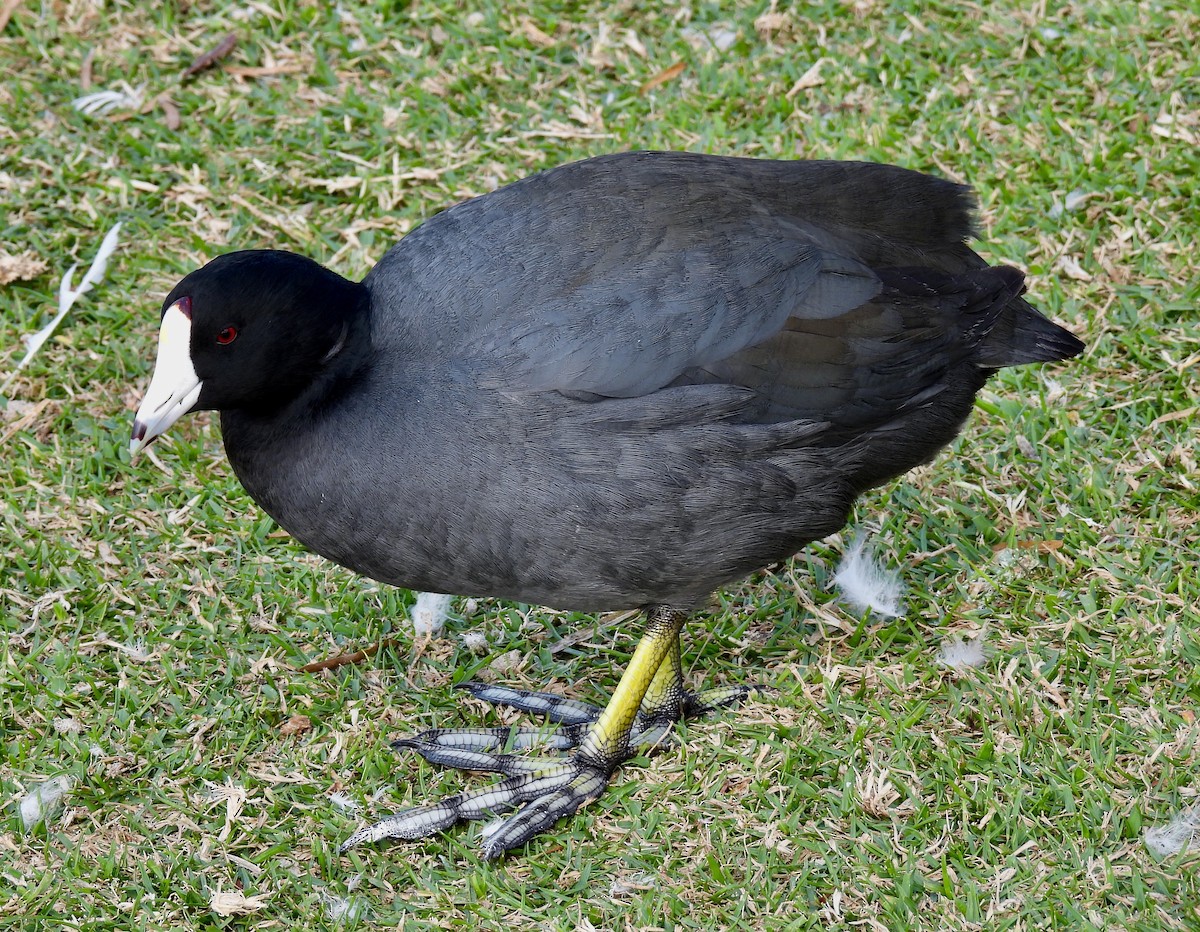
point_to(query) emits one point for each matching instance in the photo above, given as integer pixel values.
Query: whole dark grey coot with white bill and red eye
(622, 383)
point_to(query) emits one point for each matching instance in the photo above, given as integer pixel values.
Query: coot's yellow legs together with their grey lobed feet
(649, 701)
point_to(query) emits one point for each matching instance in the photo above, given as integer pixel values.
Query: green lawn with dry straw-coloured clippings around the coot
(153, 622)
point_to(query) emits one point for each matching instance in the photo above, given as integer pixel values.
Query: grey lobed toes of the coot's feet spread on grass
(544, 790)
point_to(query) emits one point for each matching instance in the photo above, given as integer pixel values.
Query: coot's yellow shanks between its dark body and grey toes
(608, 741)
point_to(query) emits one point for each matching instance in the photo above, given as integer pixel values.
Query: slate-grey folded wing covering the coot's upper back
(616, 275)
